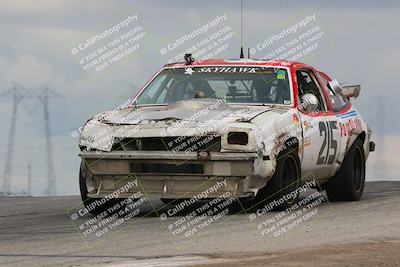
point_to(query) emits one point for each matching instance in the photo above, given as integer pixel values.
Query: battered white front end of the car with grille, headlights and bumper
(178, 164)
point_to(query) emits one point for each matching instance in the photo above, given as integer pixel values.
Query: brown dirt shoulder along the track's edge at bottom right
(373, 253)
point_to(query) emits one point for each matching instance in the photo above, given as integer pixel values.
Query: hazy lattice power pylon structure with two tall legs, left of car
(43, 94)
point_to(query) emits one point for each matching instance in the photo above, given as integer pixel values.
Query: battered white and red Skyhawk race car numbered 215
(256, 128)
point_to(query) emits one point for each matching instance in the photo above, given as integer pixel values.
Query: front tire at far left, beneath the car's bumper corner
(88, 201)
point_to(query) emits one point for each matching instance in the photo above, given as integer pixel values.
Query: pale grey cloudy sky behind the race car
(358, 44)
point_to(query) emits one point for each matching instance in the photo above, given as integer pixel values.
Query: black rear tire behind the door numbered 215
(348, 182)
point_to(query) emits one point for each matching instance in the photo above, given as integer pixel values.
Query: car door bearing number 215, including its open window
(321, 132)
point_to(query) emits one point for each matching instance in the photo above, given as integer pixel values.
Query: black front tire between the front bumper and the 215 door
(284, 181)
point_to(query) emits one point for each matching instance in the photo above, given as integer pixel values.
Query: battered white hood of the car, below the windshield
(194, 110)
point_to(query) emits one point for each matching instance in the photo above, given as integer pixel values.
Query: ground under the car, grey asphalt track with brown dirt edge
(38, 231)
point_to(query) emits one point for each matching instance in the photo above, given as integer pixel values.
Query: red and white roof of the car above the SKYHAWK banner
(239, 62)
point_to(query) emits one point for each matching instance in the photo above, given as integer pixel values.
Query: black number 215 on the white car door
(329, 144)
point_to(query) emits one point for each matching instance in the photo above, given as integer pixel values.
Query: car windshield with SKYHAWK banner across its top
(260, 85)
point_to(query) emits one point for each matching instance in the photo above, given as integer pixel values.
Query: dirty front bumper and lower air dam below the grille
(171, 175)
